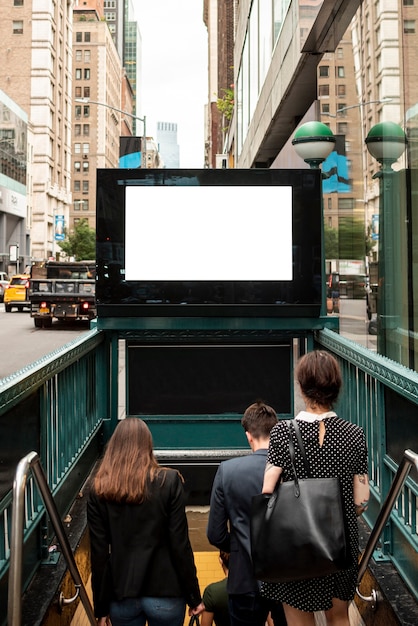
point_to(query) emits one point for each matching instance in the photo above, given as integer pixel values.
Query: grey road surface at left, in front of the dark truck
(21, 343)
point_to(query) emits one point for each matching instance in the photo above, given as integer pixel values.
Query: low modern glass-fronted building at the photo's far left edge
(14, 196)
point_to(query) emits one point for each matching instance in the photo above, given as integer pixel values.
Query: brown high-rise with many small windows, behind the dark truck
(98, 118)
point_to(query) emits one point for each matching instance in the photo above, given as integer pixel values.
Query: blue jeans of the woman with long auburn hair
(155, 611)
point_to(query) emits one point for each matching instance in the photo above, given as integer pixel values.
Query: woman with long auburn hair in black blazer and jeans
(143, 568)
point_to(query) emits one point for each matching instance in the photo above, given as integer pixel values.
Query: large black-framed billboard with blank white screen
(208, 242)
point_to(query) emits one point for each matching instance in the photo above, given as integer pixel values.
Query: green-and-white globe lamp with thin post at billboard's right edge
(313, 142)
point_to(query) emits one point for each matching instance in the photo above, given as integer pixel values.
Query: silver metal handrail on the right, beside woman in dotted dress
(409, 458)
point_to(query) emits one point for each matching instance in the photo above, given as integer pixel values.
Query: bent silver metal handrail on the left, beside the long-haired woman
(14, 607)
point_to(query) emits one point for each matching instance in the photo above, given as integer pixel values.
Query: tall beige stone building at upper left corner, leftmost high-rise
(36, 71)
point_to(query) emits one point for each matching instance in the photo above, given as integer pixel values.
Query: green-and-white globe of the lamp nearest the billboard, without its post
(313, 142)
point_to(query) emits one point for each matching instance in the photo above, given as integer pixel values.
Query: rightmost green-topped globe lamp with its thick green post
(386, 142)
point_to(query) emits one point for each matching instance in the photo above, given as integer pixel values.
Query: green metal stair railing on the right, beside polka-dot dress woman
(377, 393)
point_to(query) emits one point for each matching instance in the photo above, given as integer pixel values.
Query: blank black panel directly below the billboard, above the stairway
(207, 379)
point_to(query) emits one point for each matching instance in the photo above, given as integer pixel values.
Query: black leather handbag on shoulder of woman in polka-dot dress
(299, 531)
